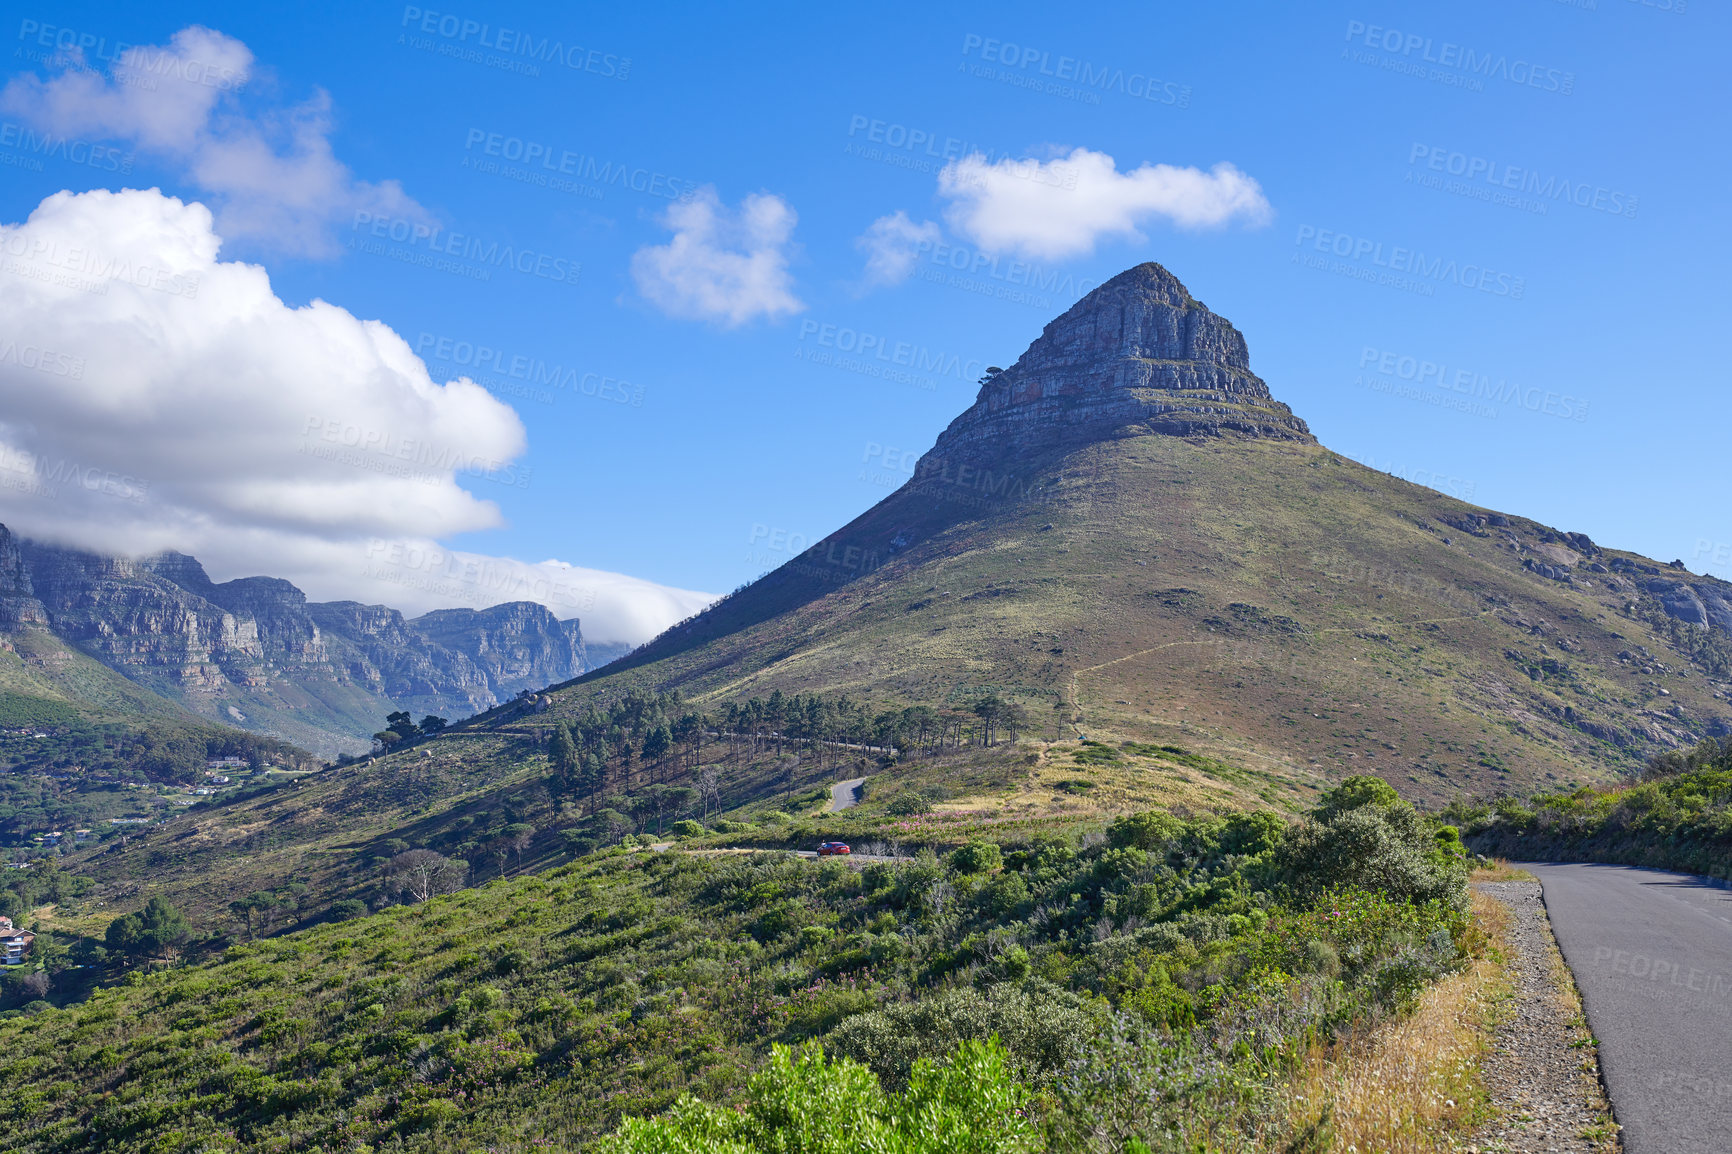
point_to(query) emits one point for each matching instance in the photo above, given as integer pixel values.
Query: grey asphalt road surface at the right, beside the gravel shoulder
(1653, 959)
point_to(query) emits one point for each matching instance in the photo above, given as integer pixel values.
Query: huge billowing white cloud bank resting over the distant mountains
(155, 398)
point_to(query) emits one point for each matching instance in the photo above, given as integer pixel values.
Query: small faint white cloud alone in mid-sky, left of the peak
(721, 264)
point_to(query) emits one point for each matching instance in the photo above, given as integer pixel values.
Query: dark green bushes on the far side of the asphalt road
(1679, 815)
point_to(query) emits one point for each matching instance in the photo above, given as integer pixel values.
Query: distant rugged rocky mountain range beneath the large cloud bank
(255, 652)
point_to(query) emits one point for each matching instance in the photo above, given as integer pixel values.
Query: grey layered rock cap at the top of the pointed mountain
(1135, 356)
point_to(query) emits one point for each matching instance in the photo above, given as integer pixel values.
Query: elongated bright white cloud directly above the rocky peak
(1063, 207)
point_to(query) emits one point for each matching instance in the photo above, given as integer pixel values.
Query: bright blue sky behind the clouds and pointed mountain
(1485, 249)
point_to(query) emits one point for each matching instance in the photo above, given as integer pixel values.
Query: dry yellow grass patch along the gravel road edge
(1412, 1086)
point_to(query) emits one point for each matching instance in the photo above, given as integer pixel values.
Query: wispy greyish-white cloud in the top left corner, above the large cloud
(273, 176)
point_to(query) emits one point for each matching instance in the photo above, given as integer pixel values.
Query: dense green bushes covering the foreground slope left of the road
(1151, 982)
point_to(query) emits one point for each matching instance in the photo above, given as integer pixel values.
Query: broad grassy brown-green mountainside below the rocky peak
(1267, 602)
